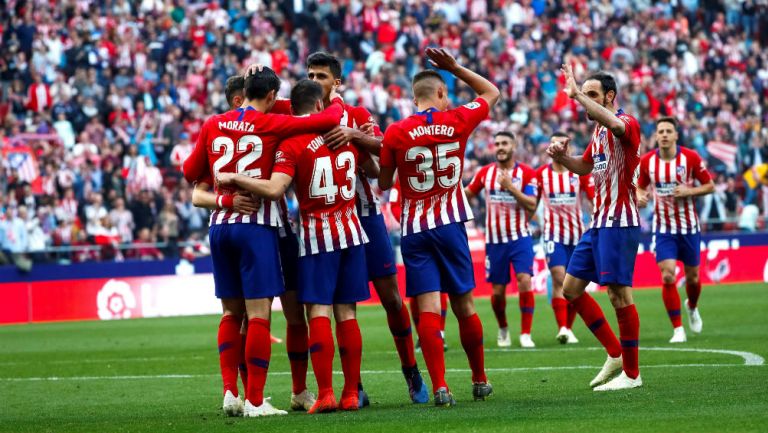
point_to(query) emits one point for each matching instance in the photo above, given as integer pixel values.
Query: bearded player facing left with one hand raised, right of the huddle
(607, 251)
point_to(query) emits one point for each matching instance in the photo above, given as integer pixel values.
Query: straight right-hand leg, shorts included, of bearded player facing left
(616, 253)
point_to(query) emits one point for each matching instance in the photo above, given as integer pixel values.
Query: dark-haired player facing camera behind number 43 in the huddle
(358, 127)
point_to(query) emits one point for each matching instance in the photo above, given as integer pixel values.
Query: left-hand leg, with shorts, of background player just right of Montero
(497, 273)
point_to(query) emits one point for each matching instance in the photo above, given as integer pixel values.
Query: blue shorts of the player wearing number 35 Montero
(438, 260)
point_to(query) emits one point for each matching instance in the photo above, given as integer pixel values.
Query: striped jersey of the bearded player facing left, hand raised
(615, 168)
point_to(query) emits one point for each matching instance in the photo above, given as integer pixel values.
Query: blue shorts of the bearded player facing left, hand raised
(606, 255)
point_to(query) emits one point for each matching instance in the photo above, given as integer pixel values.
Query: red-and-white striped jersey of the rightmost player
(673, 215)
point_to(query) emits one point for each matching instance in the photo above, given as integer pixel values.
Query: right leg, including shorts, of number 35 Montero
(457, 276)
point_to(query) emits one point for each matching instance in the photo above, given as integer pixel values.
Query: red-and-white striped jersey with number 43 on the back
(324, 181)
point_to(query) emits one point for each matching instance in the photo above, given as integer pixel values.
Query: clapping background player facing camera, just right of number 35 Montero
(510, 195)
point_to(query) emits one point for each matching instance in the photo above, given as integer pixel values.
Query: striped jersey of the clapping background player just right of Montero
(505, 219)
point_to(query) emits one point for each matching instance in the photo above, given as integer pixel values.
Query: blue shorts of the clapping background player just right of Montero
(498, 257)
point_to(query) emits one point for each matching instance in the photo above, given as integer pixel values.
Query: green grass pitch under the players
(161, 375)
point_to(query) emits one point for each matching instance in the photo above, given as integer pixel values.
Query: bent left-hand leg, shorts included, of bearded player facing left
(580, 271)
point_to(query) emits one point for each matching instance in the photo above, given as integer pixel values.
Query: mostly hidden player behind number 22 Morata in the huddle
(297, 334)
